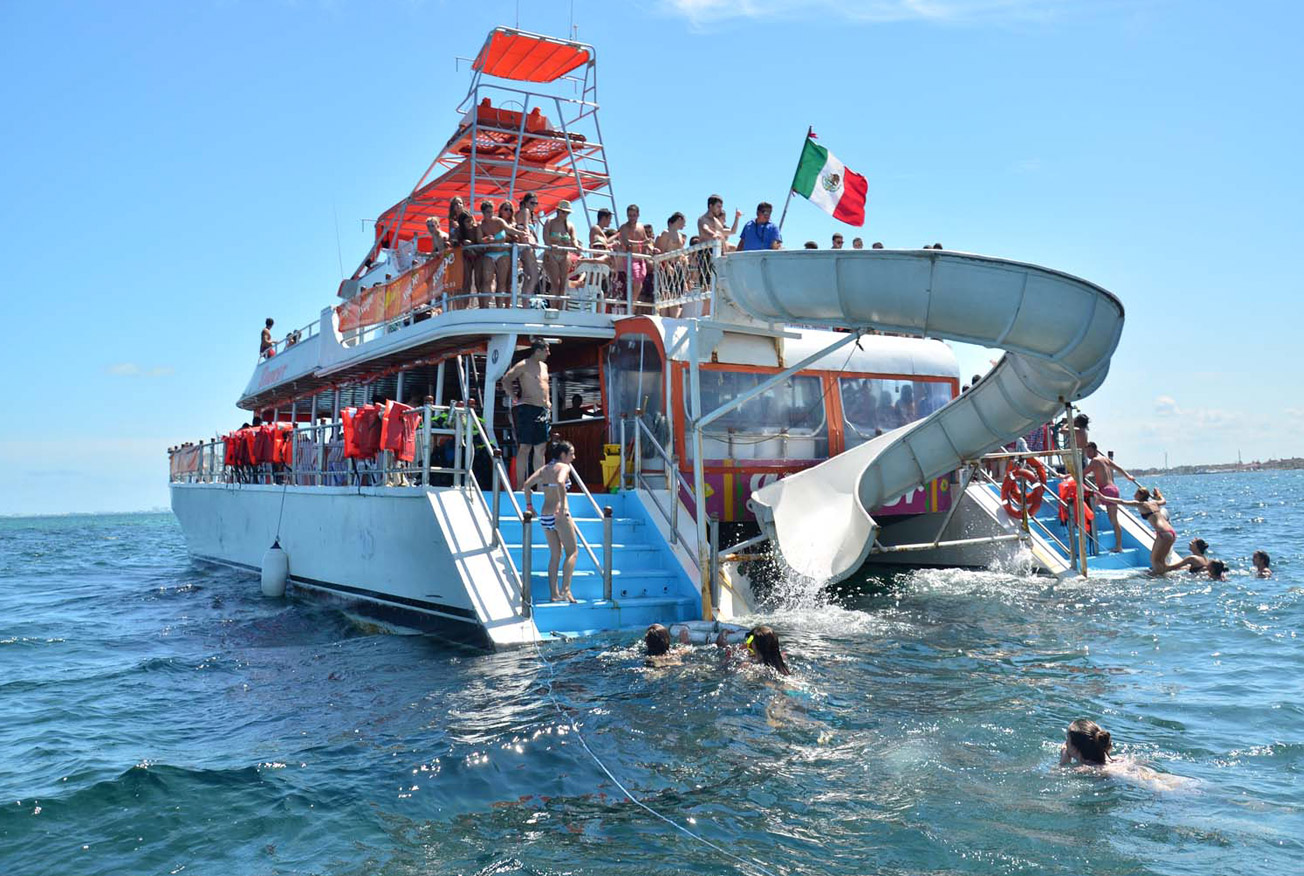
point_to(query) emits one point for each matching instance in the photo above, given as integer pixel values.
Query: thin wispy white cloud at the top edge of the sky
(701, 12)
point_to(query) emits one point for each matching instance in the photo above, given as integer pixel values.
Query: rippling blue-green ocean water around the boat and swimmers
(162, 718)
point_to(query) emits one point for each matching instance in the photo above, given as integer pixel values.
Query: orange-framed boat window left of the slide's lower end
(786, 422)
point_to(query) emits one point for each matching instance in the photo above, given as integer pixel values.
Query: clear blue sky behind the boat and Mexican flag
(171, 174)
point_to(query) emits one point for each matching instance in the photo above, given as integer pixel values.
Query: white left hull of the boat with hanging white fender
(413, 559)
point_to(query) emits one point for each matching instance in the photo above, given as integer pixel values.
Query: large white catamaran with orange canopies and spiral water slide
(807, 398)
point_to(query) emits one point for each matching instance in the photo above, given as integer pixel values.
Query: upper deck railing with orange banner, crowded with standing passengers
(598, 281)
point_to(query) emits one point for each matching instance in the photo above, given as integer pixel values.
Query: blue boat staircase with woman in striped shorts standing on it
(649, 585)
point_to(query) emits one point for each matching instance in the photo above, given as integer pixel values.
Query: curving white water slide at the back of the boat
(1058, 333)
